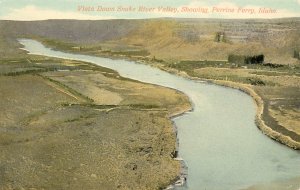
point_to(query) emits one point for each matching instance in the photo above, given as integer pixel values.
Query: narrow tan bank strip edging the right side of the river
(261, 124)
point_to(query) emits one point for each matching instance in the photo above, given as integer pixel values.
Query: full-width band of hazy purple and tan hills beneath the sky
(166, 38)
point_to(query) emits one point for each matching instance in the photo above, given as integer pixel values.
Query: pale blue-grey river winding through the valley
(218, 140)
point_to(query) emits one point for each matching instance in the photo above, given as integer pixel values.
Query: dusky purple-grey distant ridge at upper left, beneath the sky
(79, 31)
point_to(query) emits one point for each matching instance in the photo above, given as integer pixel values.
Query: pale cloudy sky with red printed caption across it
(136, 9)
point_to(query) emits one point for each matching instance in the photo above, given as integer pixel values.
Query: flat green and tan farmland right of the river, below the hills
(276, 86)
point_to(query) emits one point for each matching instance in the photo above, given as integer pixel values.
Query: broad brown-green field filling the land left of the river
(59, 127)
